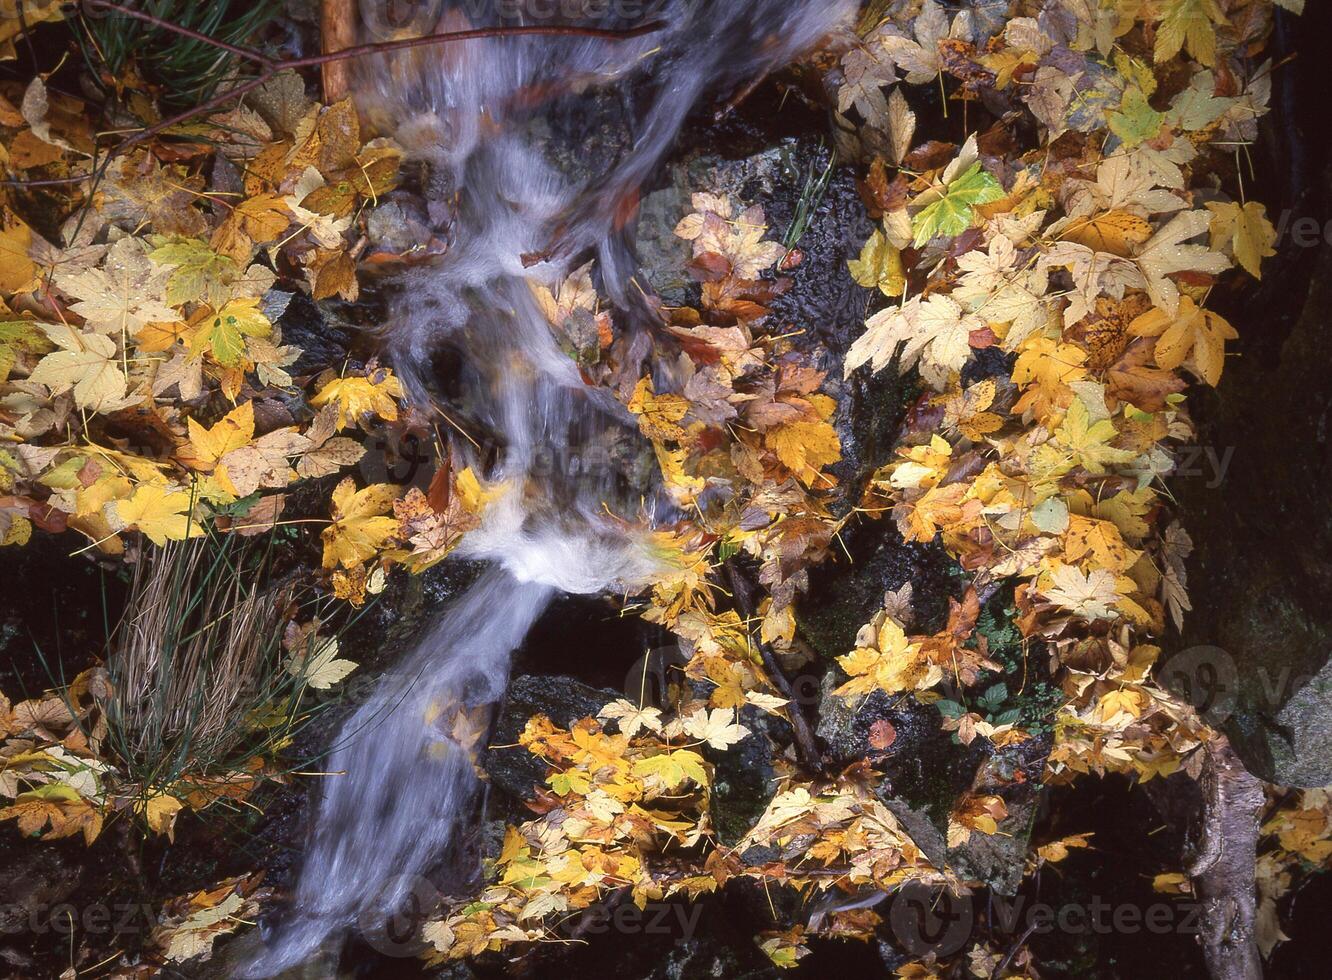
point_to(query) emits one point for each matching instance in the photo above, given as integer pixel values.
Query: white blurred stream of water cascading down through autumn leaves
(480, 115)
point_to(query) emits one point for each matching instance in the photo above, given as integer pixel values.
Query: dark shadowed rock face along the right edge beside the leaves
(1257, 492)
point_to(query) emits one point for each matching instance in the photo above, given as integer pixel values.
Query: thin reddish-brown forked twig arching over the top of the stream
(272, 67)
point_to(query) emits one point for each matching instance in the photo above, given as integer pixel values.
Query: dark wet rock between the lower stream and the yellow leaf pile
(563, 700)
